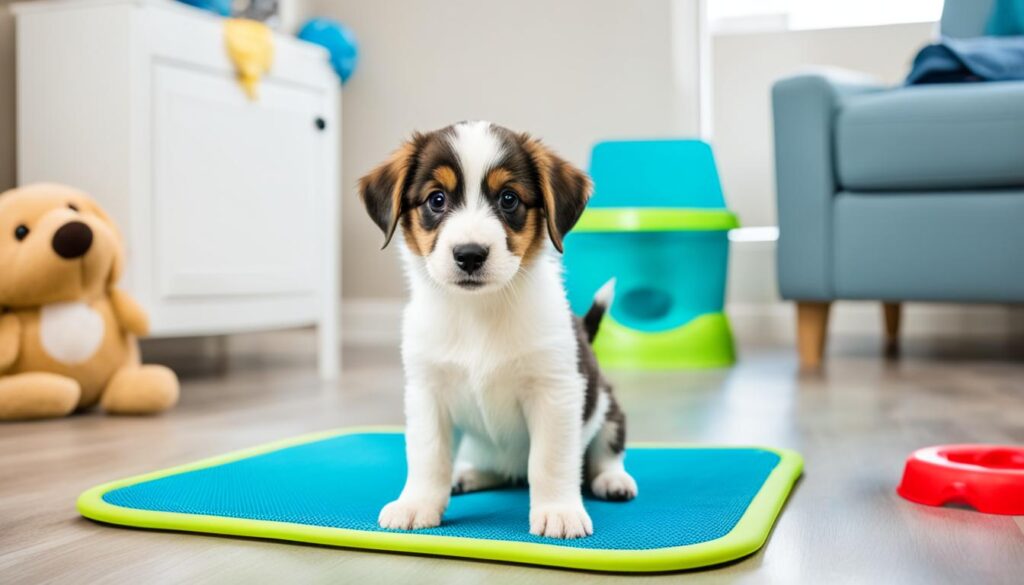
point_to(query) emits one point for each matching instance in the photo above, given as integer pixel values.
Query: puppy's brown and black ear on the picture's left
(382, 190)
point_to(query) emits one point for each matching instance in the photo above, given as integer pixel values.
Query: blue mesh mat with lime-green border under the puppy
(697, 507)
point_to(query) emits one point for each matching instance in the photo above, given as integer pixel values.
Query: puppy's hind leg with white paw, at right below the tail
(606, 459)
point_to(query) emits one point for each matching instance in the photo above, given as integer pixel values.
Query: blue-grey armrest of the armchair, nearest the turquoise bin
(805, 108)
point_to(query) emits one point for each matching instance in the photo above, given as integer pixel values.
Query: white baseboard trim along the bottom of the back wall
(378, 322)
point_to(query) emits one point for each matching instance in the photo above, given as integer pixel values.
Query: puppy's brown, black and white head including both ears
(476, 202)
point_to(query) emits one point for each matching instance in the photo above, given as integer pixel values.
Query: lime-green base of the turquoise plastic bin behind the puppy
(704, 343)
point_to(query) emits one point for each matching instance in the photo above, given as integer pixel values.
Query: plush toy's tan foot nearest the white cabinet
(141, 390)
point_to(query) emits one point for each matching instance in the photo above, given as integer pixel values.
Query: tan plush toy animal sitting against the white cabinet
(68, 336)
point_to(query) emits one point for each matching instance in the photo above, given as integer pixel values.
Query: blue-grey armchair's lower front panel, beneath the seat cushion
(933, 246)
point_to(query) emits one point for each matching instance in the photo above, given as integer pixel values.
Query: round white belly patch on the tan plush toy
(70, 332)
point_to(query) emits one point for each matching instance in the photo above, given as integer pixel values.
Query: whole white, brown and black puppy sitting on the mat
(502, 383)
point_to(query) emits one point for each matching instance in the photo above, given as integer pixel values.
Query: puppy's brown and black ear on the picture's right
(564, 188)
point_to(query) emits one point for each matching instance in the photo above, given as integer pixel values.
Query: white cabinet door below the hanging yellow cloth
(237, 186)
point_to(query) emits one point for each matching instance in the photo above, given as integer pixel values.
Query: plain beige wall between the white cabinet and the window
(572, 72)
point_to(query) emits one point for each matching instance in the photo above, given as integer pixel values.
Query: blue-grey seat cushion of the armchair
(941, 137)
